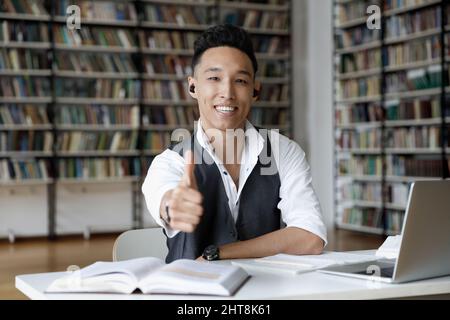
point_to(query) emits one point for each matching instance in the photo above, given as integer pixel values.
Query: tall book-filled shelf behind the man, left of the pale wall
(96, 105)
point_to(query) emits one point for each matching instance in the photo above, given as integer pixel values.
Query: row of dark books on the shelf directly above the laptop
(416, 166)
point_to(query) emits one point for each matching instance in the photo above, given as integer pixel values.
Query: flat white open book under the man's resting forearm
(296, 264)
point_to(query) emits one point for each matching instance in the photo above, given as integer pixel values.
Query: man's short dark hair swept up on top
(224, 35)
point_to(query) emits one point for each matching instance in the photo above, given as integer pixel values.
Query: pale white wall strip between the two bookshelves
(312, 63)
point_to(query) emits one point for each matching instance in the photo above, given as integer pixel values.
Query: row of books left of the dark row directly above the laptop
(360, 165)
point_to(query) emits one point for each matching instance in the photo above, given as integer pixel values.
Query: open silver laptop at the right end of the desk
(425, 245)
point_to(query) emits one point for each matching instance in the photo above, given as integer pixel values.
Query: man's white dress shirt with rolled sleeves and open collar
(299, 205)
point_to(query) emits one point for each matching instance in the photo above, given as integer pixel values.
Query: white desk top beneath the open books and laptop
(264, 285)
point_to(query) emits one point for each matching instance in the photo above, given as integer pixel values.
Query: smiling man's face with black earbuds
(224, 86)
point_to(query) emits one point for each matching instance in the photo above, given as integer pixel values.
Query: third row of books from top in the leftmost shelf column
(20, 59)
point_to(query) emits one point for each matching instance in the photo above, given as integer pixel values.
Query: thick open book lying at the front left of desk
(152, 275)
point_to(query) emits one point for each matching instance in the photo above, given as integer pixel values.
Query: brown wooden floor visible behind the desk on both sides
(41, 255)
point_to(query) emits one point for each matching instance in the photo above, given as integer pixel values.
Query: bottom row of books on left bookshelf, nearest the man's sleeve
(98, 168)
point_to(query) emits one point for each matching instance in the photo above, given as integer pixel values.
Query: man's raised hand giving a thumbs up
(185, 201)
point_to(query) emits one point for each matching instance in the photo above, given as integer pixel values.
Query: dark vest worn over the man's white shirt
(258, 213)
